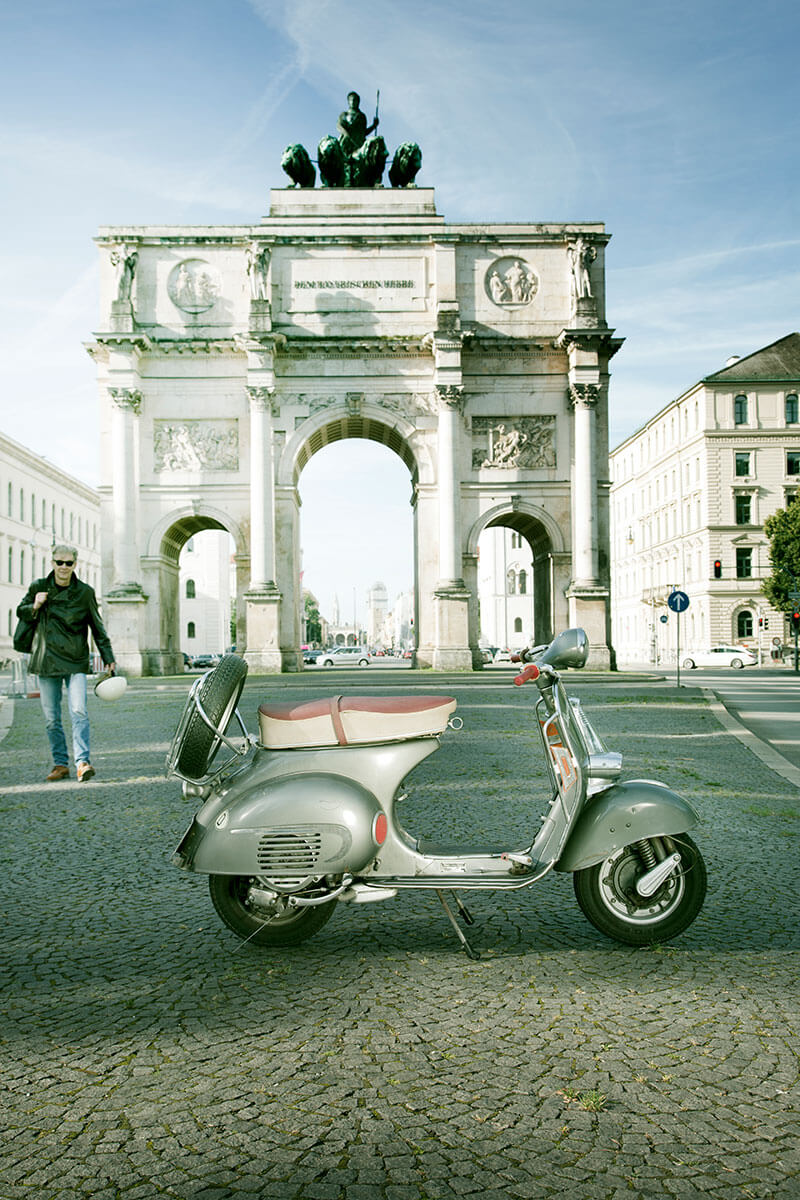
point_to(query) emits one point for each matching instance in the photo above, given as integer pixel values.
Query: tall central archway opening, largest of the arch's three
(358, 538)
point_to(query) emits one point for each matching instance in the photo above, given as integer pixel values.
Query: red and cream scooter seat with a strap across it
(353, 721)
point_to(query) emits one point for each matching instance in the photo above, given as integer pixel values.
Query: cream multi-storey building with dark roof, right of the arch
(691, 491)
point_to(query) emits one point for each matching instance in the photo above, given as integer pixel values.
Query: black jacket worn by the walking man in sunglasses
(69, 615)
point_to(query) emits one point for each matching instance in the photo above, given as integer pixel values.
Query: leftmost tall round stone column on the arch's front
(127, 404)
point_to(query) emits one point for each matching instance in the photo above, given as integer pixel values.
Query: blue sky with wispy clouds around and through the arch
(673, 123)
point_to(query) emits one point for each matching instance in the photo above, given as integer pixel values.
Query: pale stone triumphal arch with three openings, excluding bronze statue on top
(230, 356)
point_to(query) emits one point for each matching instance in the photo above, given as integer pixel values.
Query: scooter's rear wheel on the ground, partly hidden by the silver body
(278, 925)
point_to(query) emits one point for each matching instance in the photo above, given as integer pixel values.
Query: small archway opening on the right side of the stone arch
(515, 584)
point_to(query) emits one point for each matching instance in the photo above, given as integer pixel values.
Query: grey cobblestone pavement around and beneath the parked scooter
(147, 1053)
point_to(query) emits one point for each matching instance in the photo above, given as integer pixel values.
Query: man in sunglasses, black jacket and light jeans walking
(69, 610)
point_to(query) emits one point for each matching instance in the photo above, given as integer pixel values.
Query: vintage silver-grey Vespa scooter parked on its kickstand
(305, 815)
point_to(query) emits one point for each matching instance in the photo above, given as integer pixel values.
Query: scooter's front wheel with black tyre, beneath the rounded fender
(607, 895)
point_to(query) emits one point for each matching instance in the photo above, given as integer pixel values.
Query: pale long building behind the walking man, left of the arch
(40, 506)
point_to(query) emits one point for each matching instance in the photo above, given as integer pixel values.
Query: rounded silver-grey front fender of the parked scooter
(622, 814)
